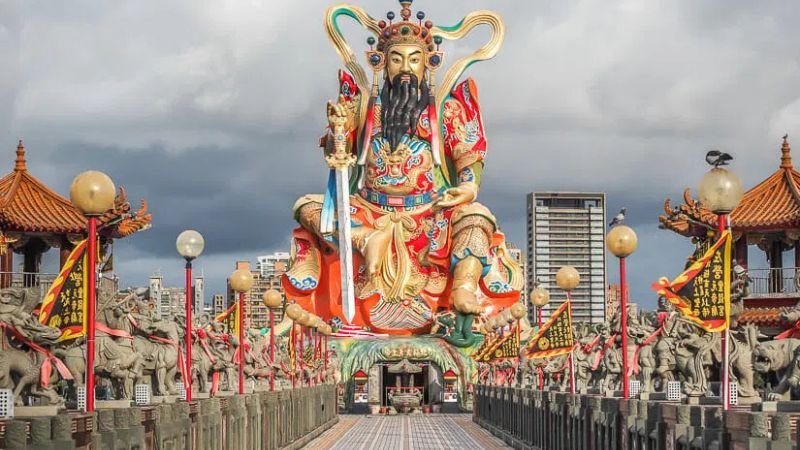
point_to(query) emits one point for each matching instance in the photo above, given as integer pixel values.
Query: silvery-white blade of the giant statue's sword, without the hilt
(345, 243)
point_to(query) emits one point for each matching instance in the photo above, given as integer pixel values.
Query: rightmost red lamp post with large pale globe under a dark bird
(720, 191)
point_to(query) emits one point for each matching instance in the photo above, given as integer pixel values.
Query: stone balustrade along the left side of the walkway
(261, 421)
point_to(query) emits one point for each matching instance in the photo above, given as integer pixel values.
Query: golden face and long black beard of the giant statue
(405, 93)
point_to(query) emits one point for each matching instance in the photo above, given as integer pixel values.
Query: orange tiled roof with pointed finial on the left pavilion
(29, 205)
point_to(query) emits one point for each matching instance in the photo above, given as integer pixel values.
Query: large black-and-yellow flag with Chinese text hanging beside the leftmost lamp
(65, 303)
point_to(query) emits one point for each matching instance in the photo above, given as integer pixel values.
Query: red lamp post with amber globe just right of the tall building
(622, 242)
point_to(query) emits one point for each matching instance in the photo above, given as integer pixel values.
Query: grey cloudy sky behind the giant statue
(211, 110)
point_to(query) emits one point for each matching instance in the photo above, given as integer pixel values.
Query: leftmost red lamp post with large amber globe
(92, 192)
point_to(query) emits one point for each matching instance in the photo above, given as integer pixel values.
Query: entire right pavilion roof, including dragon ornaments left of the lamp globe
(773, 204)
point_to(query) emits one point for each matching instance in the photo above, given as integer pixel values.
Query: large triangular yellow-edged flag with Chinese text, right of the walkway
(702, 292)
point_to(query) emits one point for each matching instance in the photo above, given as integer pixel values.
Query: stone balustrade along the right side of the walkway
(545, 420)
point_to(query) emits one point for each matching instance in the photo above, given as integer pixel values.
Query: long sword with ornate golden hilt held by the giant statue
(340, 160)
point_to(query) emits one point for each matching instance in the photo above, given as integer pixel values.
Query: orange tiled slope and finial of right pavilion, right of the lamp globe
(773, 203)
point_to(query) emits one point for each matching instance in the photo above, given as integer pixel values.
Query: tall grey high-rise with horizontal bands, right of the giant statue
(568, 228)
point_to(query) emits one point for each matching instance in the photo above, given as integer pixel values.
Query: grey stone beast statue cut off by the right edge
(779, 357)
